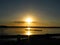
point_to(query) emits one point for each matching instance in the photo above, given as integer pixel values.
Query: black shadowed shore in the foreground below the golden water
(30, 40)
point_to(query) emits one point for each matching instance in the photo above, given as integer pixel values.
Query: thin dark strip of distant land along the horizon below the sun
(29, 27)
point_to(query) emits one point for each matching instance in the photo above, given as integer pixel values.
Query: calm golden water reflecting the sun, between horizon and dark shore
(25, 31)
